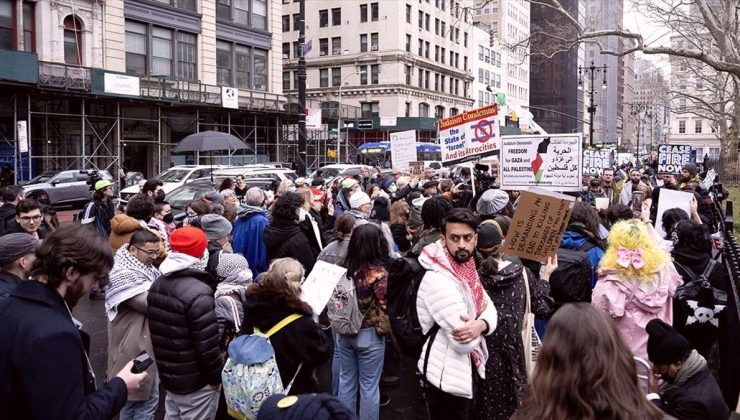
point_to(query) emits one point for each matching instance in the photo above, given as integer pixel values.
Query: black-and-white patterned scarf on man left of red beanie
(128, 278)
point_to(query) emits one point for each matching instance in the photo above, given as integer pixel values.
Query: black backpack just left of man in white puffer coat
(404, 278)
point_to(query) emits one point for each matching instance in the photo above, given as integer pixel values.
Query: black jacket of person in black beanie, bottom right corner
(698, 399)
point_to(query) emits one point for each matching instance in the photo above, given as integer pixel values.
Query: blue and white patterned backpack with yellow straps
(251, 375)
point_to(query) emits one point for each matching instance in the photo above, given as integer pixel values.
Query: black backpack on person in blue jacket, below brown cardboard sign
(571, 281)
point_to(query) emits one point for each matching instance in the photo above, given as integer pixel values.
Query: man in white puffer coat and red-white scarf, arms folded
(452, 297)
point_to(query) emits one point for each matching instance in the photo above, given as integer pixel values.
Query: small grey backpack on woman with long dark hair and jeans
(343, 311)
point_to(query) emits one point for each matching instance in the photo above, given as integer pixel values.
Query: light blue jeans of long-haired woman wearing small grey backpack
(360, 363)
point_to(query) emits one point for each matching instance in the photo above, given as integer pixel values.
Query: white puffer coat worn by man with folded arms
(441, 300)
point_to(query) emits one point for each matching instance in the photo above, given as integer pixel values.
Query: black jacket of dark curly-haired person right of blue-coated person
(288, 238)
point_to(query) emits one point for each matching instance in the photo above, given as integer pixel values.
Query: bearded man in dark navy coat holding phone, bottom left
(43, 356)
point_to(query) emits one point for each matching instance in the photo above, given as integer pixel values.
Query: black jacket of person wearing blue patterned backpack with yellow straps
(301, 341)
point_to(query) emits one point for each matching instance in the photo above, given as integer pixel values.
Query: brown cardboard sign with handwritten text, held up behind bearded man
(538, 224)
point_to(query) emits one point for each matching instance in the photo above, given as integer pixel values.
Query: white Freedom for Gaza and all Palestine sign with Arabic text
(550, 161)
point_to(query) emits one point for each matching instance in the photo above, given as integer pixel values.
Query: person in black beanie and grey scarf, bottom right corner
(688, 390)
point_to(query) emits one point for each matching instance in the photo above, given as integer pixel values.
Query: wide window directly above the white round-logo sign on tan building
(241, 66)
